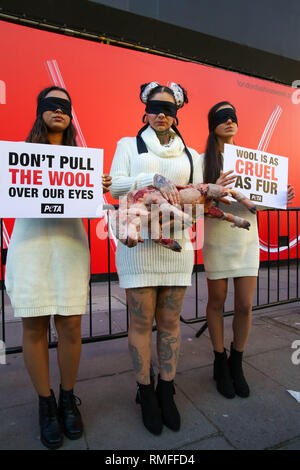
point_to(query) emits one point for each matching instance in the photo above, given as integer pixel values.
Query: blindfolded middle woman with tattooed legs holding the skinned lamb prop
(155, 278)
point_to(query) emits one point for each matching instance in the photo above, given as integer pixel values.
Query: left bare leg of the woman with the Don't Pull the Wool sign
(35, 352)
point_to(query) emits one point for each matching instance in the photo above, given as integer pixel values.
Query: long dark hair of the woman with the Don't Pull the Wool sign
(39, 131)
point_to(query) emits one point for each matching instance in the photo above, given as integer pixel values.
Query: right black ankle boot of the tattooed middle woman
(165, 392)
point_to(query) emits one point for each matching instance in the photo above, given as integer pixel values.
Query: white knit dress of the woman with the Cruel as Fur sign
(230, 251)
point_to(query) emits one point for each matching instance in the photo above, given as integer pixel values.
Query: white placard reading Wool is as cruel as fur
(261, 176)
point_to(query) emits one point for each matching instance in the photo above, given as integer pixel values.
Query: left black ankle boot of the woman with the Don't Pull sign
(51, 432)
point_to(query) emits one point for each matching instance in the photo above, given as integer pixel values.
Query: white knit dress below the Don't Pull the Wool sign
(48, 267)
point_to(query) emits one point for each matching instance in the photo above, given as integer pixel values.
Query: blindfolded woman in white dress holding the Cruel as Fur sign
(228, 253)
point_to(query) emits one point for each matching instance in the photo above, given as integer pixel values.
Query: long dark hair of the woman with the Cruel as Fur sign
(213, 163)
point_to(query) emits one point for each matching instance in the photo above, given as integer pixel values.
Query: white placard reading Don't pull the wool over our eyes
(43, 180)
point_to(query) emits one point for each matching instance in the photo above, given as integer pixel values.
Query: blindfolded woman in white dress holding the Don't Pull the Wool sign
(48, 270)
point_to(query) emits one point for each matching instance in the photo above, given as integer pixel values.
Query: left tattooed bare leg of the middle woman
(141, 305)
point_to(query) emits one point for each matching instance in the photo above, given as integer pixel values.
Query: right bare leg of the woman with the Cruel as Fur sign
(243, 295)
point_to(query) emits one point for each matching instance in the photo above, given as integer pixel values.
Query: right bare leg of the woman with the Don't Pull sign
(69, 348)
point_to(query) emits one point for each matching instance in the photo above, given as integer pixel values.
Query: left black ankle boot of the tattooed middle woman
(151, 413)
